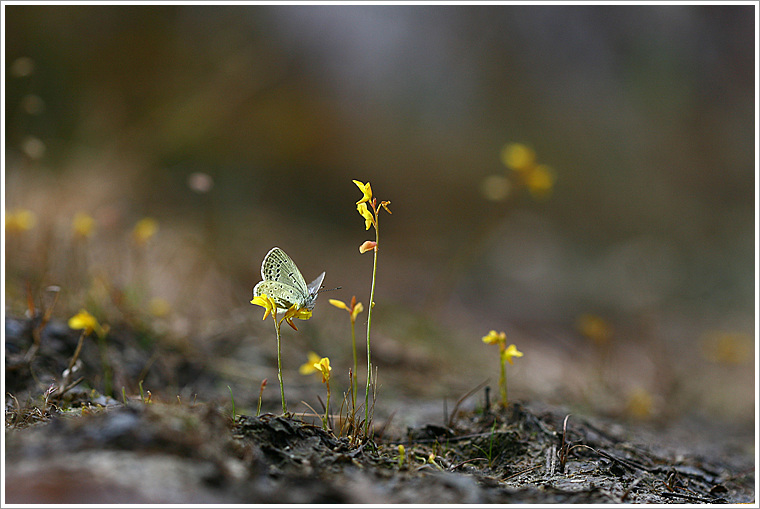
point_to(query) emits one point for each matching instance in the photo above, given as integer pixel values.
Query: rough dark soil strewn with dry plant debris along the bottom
(191, 453)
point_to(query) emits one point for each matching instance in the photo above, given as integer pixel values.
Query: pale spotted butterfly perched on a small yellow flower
(283, 282)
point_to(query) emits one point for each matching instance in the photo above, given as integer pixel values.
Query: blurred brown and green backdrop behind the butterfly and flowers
(239, 128)
